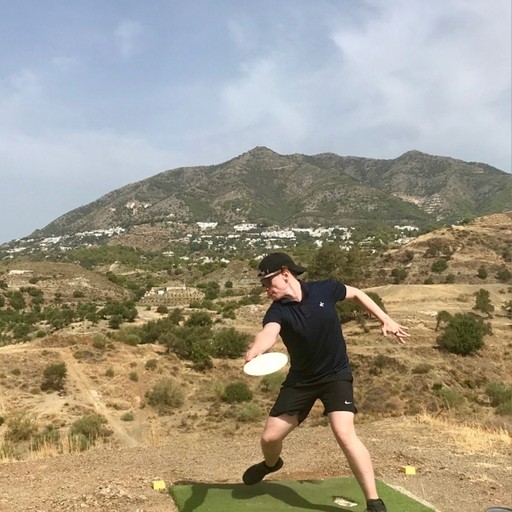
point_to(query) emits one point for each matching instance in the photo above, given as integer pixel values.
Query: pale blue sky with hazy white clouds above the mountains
(97, 94)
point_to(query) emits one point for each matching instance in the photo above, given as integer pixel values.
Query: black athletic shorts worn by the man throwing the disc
(335, 395)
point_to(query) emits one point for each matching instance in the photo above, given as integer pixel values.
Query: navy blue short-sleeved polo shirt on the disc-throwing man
(311, 332)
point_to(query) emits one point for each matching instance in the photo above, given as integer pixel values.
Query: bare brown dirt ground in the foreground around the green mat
(120, 479)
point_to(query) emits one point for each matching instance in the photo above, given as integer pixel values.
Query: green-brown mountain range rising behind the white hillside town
(267, 188)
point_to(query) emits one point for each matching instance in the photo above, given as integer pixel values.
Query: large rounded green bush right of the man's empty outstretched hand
(463, 335)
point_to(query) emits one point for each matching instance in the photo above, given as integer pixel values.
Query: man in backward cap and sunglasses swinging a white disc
(304, 315)
